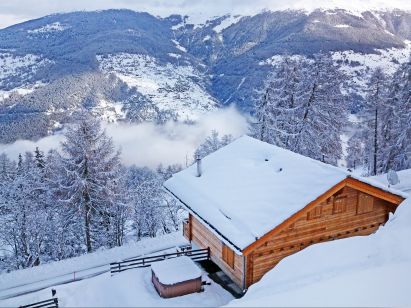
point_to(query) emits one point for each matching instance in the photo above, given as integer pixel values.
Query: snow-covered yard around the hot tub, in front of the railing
(129, 288)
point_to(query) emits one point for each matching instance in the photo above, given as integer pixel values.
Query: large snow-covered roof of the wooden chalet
(249, 187)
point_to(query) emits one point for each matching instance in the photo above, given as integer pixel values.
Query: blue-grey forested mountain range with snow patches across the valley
(125, 65)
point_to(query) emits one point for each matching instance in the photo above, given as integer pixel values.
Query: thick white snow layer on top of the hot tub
(175, 270)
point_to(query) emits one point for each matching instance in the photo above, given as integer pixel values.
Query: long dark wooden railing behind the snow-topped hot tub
(195, 255)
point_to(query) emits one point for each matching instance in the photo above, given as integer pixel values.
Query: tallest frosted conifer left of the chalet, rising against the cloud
(90, 185)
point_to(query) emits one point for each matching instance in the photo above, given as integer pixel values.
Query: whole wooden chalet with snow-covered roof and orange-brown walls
(254, 204)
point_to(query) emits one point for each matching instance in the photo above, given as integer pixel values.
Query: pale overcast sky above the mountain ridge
(15, 11)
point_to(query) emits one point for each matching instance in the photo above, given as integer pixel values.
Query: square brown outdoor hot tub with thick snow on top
(176, 277)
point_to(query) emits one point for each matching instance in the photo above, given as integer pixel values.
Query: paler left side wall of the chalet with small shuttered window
(203, 237)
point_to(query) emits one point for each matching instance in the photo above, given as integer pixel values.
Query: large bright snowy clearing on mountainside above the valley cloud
(170, 87)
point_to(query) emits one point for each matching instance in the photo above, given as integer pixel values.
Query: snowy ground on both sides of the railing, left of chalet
(129, 288)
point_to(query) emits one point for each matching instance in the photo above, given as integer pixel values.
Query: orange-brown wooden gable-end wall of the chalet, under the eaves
(347, 213)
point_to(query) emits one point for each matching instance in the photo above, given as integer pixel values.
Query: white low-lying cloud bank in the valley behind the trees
(148, 144)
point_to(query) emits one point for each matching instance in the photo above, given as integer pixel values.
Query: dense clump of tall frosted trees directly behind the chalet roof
(302, 108)
